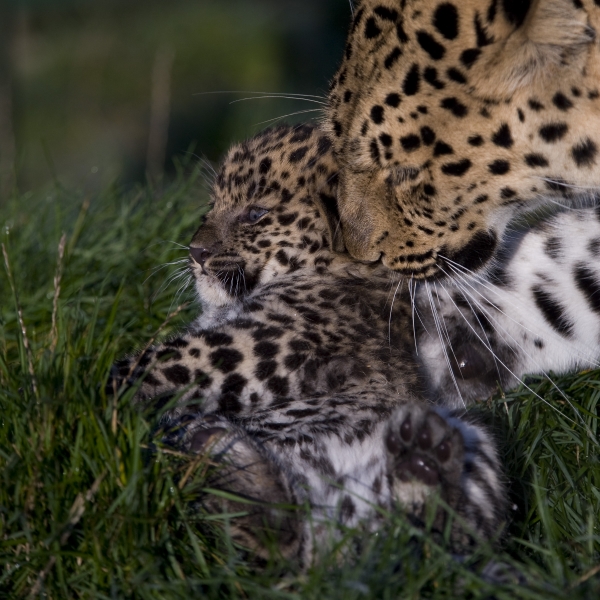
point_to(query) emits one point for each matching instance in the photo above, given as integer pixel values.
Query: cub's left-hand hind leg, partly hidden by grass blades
(263, 487)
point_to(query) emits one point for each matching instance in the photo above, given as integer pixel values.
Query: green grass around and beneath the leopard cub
(86, 511)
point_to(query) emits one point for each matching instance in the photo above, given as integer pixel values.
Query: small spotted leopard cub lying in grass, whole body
(299, 375)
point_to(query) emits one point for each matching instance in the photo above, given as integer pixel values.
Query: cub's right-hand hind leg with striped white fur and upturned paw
(437, 452)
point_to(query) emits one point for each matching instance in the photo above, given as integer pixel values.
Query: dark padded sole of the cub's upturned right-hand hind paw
(423, 446)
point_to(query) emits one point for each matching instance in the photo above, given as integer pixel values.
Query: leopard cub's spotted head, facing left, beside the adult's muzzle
(274, 212)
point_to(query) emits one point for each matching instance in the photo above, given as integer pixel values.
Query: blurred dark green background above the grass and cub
(97, 91)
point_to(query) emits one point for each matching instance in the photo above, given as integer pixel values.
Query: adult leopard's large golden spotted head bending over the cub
(448, 117)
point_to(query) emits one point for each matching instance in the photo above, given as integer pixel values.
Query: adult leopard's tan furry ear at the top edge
(547, 38)
